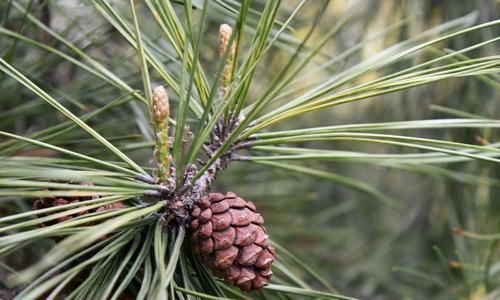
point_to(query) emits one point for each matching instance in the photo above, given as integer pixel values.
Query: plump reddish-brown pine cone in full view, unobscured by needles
(230, 239)
